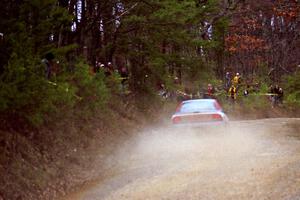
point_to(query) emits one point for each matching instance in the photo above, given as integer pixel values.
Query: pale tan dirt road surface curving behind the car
(257, 159)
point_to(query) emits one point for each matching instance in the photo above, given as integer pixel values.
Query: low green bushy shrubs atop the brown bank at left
(25, 91)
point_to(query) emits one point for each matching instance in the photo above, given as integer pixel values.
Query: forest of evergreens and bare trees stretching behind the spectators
(194, 41)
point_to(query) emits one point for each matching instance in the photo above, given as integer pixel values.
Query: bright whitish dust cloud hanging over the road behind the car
(162, 144)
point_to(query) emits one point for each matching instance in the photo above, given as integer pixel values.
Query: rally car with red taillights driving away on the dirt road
(199, 112)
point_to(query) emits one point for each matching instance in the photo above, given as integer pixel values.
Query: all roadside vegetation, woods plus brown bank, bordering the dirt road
(58, 92)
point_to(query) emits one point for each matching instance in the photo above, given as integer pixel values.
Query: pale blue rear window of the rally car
(197, 106)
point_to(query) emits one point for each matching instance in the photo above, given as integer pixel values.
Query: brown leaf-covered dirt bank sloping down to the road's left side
(52, 160)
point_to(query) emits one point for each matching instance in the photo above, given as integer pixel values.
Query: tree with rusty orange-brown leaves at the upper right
(264, 34)
